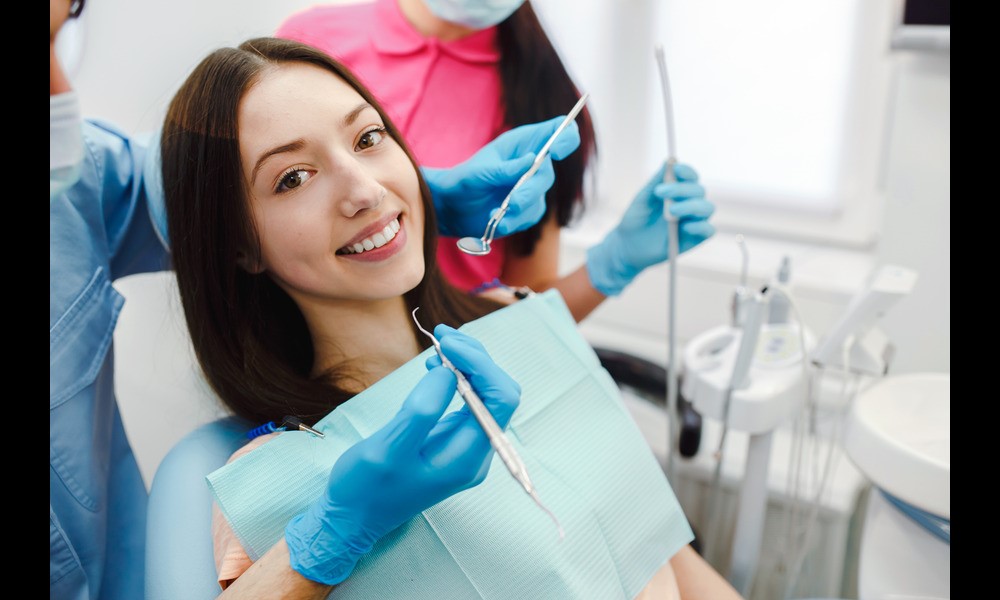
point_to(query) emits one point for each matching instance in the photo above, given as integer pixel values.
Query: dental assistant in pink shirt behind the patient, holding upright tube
(455, 73)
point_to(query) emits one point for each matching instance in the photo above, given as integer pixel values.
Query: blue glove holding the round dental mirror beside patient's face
(467, 195)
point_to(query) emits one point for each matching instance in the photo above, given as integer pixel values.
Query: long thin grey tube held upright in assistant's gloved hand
(673, 250)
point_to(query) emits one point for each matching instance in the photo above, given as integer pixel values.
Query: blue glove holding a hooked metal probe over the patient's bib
(417, 460)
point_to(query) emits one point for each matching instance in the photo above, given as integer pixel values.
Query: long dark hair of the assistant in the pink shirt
(529, 63)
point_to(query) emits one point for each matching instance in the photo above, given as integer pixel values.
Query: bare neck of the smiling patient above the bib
(364, 340)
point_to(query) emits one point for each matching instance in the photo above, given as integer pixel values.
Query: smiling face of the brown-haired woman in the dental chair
(335, 200)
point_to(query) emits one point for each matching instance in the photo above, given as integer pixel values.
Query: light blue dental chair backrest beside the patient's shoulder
(179, 559)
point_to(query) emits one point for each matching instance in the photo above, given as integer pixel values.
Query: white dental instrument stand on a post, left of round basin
(749, 376)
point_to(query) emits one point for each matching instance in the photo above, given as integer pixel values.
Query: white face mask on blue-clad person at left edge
(65, 143)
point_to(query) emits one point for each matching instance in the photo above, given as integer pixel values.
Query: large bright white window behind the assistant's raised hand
(779, 104)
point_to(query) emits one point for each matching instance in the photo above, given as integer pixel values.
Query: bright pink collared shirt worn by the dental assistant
(445, 97)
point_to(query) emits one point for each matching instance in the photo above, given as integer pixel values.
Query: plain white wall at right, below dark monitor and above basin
(917, 226)
